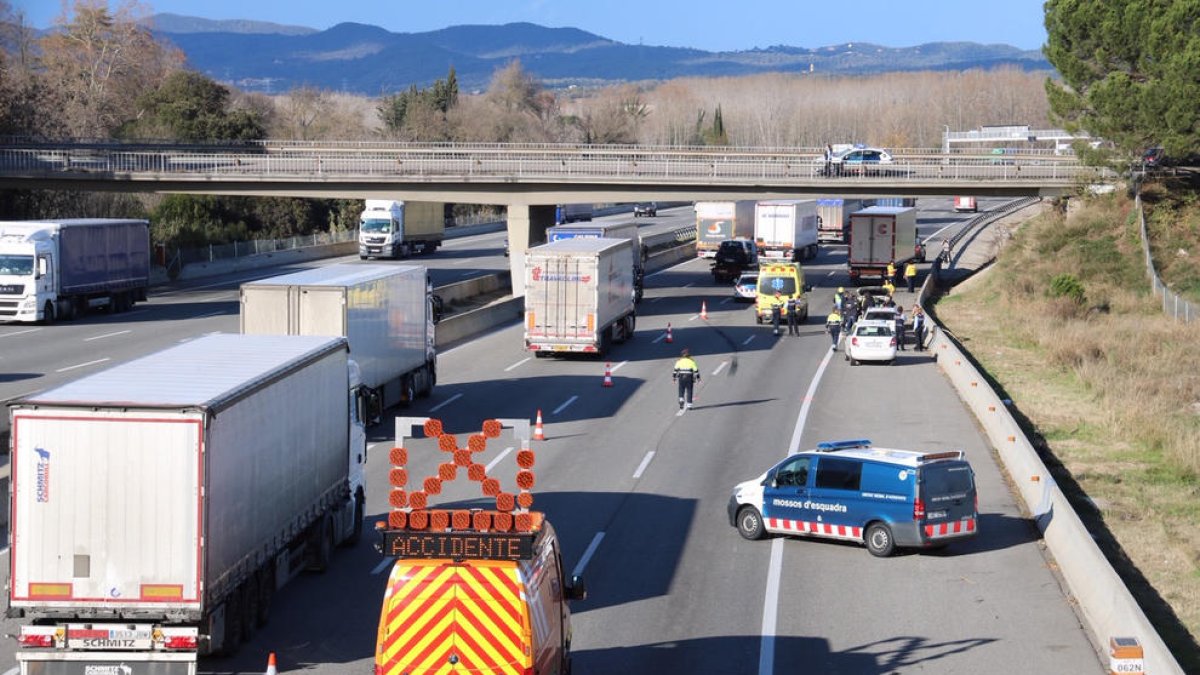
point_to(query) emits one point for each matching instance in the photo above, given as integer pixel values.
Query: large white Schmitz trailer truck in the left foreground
(159, 505)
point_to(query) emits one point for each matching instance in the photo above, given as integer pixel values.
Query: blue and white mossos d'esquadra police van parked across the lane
(854, 492)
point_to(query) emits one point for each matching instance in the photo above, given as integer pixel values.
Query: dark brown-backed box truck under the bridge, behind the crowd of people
(880, 236)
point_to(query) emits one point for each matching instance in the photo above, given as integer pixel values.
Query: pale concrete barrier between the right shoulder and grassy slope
(1108, 607)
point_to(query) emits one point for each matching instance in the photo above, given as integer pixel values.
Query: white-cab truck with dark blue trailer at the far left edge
(62, 268)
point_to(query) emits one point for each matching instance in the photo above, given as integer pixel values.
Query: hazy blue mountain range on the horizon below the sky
(369, 61)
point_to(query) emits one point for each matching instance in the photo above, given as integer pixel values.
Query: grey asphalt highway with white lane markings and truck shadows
(638, 492)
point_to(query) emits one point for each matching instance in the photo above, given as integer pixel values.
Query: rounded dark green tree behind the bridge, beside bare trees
(191, 106)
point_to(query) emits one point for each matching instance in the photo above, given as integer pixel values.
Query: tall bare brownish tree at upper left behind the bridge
(98, 62)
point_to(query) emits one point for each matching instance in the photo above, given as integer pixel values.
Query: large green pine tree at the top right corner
(1131, 71)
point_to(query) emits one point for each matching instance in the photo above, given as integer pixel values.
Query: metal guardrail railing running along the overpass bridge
(553, 163)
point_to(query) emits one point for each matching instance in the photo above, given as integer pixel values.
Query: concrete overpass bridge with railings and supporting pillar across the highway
(530, 180)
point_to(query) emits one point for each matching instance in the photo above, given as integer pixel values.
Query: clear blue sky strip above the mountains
(704, 25)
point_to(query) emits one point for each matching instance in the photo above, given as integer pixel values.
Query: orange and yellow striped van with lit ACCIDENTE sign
(472, 592)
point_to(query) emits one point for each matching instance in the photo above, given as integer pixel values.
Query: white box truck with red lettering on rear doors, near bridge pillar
(579, 296)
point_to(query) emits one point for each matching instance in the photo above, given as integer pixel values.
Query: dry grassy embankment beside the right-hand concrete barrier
(1108, 389)
